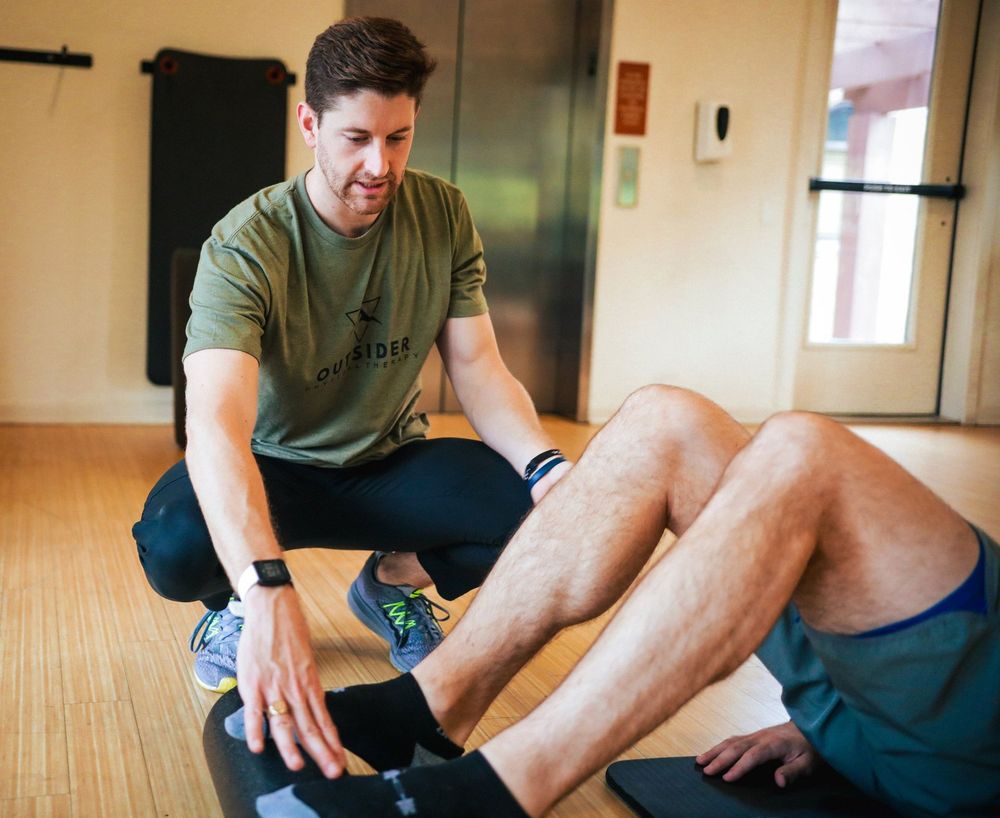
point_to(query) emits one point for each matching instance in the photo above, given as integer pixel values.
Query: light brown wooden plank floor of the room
(98, 713)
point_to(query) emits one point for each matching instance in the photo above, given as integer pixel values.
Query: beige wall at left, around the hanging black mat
(74, 160)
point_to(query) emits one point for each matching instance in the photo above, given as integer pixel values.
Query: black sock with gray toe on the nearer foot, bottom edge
(465, 788)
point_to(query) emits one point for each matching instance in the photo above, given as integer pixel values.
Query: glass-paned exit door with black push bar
(887, 199)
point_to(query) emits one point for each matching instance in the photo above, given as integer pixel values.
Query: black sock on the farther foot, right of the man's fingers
(389, 724)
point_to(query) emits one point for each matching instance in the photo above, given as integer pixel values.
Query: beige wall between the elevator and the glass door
(689, 287)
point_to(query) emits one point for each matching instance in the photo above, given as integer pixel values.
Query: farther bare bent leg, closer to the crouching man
(653, 466)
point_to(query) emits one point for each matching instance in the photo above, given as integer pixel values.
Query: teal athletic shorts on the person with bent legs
(912, 716)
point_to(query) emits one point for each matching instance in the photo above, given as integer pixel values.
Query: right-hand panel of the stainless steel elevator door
(513, 135)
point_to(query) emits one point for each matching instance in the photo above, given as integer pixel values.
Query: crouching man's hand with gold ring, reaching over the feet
(278, 680)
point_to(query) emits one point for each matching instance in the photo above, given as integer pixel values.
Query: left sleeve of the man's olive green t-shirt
(229, 302)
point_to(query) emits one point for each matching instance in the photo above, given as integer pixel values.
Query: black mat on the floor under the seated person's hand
(676, 788)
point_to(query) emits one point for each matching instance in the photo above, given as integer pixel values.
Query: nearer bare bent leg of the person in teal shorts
(807, 510)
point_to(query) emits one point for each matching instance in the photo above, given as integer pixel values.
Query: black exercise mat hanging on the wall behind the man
(218, 136)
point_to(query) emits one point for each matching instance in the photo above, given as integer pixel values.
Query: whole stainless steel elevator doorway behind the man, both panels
(498, 121)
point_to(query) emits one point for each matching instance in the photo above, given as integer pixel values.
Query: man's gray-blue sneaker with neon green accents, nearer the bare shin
(401, 615)
